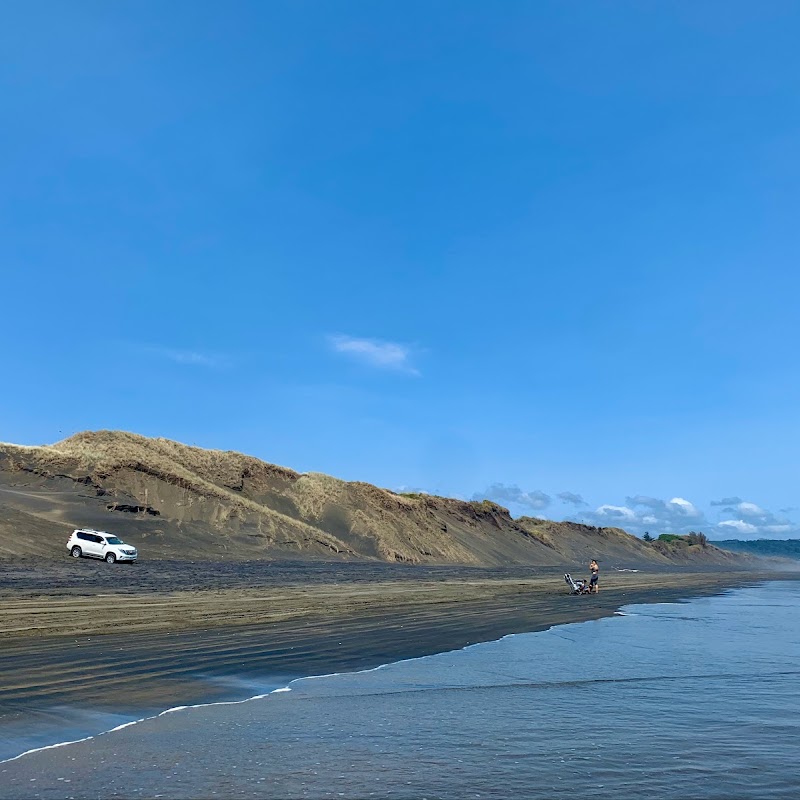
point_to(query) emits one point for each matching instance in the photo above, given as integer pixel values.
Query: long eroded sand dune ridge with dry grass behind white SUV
(181, 501)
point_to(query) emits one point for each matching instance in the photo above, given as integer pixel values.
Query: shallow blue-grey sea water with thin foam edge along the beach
(699, 699)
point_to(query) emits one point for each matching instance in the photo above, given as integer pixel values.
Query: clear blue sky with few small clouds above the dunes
(539, 252)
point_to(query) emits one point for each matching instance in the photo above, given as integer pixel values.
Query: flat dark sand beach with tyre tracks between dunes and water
(107, 640)
